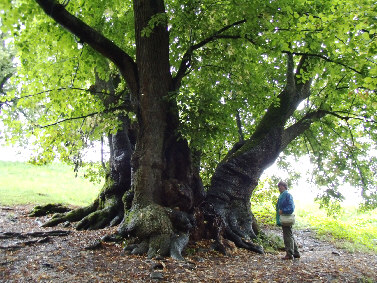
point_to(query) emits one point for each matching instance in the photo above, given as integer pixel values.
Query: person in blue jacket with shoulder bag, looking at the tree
(285, 205)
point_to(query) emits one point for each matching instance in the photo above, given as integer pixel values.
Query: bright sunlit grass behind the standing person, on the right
(350, 229)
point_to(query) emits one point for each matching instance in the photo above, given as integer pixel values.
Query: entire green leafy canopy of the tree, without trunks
(237, 67)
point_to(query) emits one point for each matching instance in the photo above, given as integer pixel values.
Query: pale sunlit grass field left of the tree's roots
(22, 183)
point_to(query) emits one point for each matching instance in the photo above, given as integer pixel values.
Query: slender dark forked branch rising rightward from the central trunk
(186, 60)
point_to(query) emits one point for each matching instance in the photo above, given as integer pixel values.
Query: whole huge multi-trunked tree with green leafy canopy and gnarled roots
(183, 89)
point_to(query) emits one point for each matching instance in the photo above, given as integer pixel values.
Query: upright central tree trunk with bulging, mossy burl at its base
(162, 181)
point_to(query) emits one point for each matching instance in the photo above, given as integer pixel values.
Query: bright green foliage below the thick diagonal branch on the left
(57, 89)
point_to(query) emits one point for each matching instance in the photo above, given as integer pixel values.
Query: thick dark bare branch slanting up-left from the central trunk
(97, 41)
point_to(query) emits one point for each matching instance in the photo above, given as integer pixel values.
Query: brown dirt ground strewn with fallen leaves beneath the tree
(31, 257)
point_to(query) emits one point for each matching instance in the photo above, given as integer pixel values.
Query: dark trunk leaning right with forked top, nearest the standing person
(237, 175)
